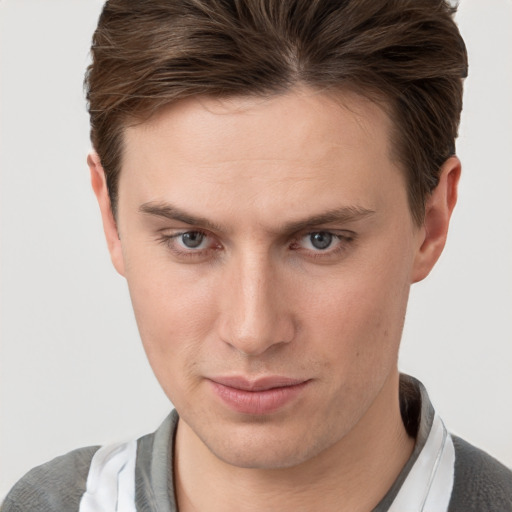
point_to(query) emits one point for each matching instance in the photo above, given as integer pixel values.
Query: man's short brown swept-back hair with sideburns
(149, 53)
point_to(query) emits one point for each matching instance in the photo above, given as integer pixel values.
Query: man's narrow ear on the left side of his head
(99, 185)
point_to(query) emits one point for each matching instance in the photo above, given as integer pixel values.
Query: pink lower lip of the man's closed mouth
(257, 402)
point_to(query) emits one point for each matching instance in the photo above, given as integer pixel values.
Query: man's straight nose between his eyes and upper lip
(255, 313)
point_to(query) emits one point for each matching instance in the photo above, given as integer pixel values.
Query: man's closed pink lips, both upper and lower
(257, 397)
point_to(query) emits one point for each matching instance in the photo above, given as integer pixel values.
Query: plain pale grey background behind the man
(73, 372)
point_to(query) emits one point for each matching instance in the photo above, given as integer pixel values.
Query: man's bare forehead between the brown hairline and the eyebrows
(288, 149)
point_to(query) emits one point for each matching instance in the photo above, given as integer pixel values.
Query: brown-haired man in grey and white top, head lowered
(272, 177)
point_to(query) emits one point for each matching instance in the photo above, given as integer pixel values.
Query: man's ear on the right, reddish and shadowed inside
(438, 211)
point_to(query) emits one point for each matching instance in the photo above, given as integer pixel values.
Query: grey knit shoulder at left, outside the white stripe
(56, 486)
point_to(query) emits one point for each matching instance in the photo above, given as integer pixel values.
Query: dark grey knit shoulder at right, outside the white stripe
(481, 483)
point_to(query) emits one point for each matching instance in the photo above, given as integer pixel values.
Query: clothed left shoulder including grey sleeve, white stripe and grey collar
(102, 477)
